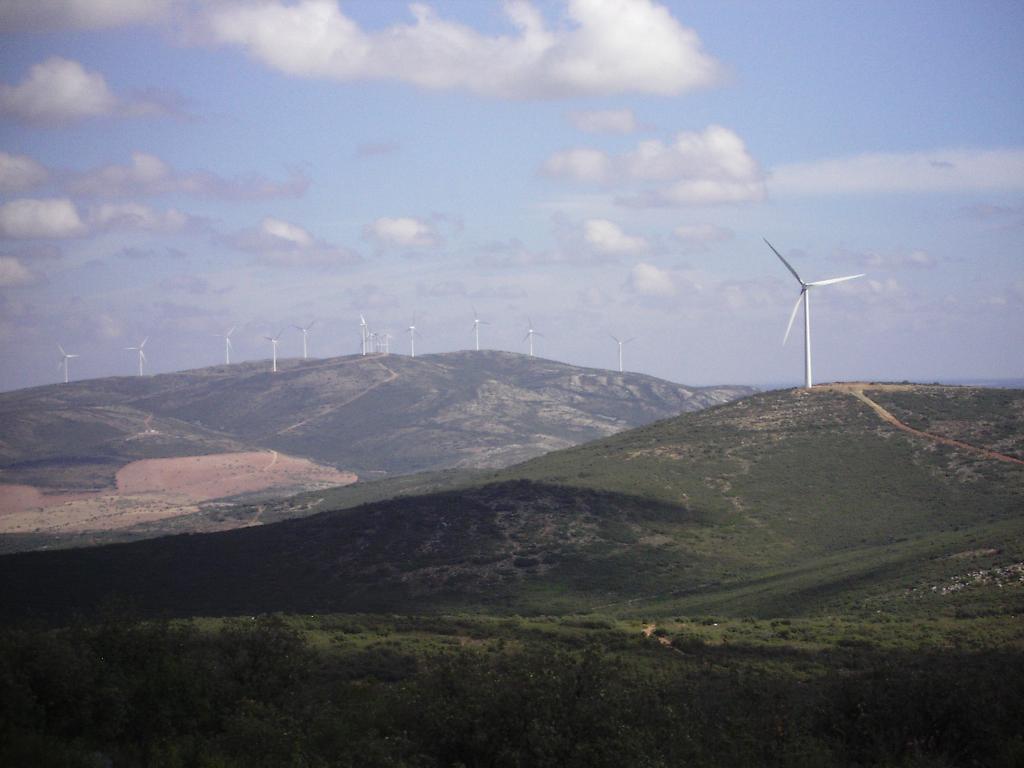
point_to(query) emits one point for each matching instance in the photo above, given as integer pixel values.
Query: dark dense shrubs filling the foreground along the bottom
(464, 693)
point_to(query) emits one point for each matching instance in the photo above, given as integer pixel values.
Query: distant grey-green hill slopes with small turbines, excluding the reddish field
(371, 415)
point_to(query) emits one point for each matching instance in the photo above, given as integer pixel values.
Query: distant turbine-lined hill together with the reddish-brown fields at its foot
(107, 460)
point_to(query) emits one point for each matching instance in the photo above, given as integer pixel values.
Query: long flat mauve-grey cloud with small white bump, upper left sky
(148, 175)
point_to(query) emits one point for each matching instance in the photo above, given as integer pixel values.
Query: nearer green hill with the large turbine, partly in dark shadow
(786, 503)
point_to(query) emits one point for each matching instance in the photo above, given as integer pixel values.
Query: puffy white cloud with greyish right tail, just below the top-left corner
(60, 91)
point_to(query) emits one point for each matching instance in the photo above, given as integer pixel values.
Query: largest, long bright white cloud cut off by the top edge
(607, 47)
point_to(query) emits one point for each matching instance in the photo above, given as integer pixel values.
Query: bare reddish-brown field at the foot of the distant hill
(157, 489)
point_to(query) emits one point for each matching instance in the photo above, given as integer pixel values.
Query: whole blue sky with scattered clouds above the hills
(596, 168)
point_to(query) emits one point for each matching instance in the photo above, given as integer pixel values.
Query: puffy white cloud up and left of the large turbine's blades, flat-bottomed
(697, 168)
